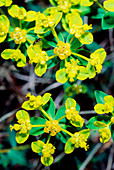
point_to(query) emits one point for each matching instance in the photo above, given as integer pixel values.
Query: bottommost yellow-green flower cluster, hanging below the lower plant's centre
(46, 149)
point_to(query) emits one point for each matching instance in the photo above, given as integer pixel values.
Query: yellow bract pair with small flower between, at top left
(19, 12)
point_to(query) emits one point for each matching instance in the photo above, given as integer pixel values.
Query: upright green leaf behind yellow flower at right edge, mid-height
(100, 96)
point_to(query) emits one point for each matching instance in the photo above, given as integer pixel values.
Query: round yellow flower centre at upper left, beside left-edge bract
(19, 36)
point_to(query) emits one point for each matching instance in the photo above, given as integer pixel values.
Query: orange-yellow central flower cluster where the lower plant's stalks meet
(52, 127)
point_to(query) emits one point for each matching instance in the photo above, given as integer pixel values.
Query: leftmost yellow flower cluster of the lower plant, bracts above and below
(22, 127)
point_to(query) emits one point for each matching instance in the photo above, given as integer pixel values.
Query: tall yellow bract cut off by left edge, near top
(4, 27)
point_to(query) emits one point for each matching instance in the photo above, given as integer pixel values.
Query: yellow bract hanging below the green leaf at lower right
(105, 134)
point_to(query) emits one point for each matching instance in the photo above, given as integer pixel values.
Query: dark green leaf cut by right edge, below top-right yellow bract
(107, 20)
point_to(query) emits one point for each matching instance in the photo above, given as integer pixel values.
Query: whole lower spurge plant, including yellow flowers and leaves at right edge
(55, 124)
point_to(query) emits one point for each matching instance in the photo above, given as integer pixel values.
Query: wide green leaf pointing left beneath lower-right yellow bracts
(102, 118)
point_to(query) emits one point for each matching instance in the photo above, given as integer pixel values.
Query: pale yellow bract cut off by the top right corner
(109, 5)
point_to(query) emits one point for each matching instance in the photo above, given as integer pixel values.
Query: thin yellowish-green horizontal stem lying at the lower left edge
(15, 148)
